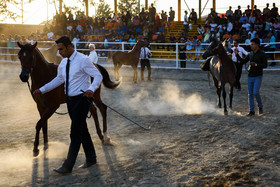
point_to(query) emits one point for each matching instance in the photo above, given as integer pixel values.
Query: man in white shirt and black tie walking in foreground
(75, 71)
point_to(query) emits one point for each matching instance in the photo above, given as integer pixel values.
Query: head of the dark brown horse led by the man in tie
(26, 56)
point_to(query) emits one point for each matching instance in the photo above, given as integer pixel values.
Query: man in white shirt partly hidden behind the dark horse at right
(241, 51)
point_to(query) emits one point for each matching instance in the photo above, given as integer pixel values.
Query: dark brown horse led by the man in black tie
(41, 72)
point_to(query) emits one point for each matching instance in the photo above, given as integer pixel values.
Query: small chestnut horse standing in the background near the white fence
(127, 58)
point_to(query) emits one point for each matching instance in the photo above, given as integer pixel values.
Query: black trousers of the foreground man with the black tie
(78, 108)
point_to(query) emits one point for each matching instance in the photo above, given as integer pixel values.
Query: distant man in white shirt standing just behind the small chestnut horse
(144, 60)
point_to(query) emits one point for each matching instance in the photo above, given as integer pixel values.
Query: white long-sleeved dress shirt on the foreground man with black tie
(80, 71)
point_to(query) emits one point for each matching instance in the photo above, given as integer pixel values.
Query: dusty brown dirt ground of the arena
(191, 142)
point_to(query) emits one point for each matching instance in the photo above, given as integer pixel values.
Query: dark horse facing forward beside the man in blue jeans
(222, 70)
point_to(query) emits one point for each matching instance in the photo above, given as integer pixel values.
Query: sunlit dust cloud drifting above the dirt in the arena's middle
(169, 100)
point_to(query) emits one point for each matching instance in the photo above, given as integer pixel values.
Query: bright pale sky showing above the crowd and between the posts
(39, 11)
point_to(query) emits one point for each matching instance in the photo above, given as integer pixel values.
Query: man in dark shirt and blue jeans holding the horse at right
(258, 61)
